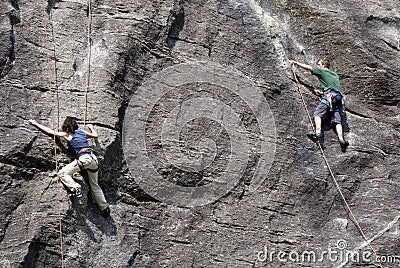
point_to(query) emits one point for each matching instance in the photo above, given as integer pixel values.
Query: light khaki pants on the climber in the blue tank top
(89, 161)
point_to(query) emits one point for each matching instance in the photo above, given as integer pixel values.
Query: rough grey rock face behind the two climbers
(44, 75)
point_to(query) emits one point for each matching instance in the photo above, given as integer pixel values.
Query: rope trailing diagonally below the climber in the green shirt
(331, 172)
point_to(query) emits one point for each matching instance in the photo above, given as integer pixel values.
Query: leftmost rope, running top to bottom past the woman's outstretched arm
(53, 123)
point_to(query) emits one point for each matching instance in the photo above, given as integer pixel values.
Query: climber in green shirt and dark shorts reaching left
(331, 103)
